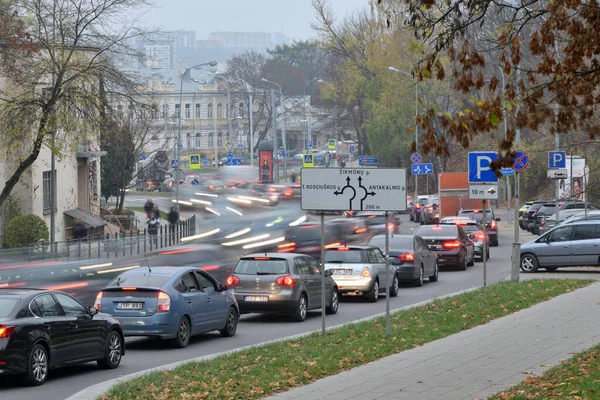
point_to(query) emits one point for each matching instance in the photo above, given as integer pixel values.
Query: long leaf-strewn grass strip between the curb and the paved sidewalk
(277, 367)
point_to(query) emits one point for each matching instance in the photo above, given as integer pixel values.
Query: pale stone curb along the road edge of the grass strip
(92, 392)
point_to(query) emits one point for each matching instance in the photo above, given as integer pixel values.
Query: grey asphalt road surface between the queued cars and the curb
(144, 353)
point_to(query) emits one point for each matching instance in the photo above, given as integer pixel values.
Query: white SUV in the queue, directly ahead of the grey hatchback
(360, 271)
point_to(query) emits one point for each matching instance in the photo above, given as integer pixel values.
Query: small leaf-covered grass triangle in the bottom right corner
(576, 378)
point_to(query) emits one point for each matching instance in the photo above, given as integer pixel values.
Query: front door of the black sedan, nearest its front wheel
(88, 334)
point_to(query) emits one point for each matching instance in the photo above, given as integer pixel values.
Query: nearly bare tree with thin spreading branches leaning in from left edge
(52, 63)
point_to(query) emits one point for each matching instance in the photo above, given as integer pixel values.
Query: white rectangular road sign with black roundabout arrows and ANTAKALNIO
(359, 189)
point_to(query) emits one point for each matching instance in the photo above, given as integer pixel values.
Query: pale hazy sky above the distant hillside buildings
(293, 18)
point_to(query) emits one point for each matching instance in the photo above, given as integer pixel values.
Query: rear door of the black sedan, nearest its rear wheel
(56, 328)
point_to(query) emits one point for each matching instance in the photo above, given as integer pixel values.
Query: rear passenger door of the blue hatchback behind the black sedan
(196, 303)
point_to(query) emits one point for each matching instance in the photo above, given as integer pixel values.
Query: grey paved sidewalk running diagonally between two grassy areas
(477, 363)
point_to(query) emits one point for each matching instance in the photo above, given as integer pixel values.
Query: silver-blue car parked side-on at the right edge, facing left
(571, 245)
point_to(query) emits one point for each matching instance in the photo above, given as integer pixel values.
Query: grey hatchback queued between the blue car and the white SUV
(275, 283)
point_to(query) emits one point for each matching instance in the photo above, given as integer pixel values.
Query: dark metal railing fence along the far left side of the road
(104, 246)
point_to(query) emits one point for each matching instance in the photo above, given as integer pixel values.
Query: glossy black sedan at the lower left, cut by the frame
(45, 329)
